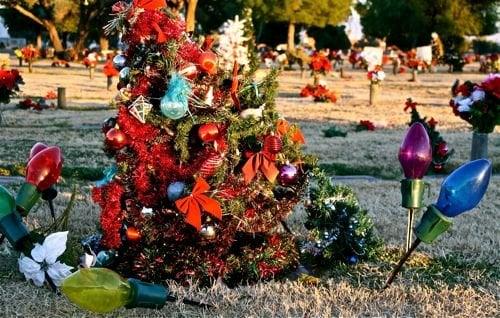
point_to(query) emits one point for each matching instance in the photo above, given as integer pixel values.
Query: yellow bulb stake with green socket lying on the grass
(101, 290)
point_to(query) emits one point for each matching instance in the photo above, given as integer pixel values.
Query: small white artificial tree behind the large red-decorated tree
(232, 46)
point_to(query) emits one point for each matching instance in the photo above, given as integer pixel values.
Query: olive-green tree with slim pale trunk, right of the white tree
(305, 12)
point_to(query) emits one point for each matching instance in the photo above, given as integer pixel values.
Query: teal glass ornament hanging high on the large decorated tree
(174, 104)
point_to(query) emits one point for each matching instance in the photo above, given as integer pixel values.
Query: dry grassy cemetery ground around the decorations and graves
(458, 275)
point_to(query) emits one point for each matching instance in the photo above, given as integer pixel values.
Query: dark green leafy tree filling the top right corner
(408, 24)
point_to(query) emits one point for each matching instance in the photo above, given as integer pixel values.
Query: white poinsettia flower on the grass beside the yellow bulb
(44, 260)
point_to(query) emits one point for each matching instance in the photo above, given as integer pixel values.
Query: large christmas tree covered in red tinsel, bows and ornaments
(206, 170)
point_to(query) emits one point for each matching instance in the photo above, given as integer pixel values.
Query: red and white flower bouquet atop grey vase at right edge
(478, 104)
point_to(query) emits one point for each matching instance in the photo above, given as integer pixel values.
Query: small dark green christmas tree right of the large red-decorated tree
(340, 231)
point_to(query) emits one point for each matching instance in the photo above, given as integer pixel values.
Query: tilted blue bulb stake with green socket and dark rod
(461, 191)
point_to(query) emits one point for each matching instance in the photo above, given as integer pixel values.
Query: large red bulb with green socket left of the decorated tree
(42, 172)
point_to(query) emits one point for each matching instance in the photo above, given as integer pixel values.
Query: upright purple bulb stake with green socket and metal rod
(415, 156)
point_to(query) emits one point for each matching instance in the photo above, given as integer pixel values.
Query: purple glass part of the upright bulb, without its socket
(415, 153)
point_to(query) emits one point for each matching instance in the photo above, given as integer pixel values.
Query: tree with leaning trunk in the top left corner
(53, 15)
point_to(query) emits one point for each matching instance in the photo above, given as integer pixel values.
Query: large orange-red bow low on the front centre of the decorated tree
(196, 202)
